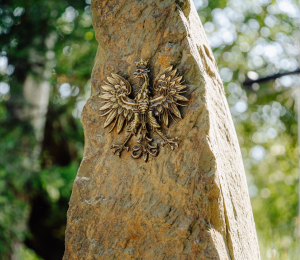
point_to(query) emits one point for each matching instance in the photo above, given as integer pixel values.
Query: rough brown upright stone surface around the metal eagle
(191, 203)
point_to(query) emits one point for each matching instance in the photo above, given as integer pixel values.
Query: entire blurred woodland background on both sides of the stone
(47, 50)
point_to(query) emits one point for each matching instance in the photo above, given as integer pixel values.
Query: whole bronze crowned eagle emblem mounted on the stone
(141, 113)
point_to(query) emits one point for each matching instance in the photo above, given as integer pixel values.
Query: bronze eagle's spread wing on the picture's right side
(168, 85)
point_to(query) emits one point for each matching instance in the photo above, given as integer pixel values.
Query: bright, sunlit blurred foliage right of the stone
(258, 39)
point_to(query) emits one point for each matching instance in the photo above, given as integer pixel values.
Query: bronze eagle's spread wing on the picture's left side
(118, 107)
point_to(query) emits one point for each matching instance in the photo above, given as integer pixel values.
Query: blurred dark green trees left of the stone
(46, 56)
